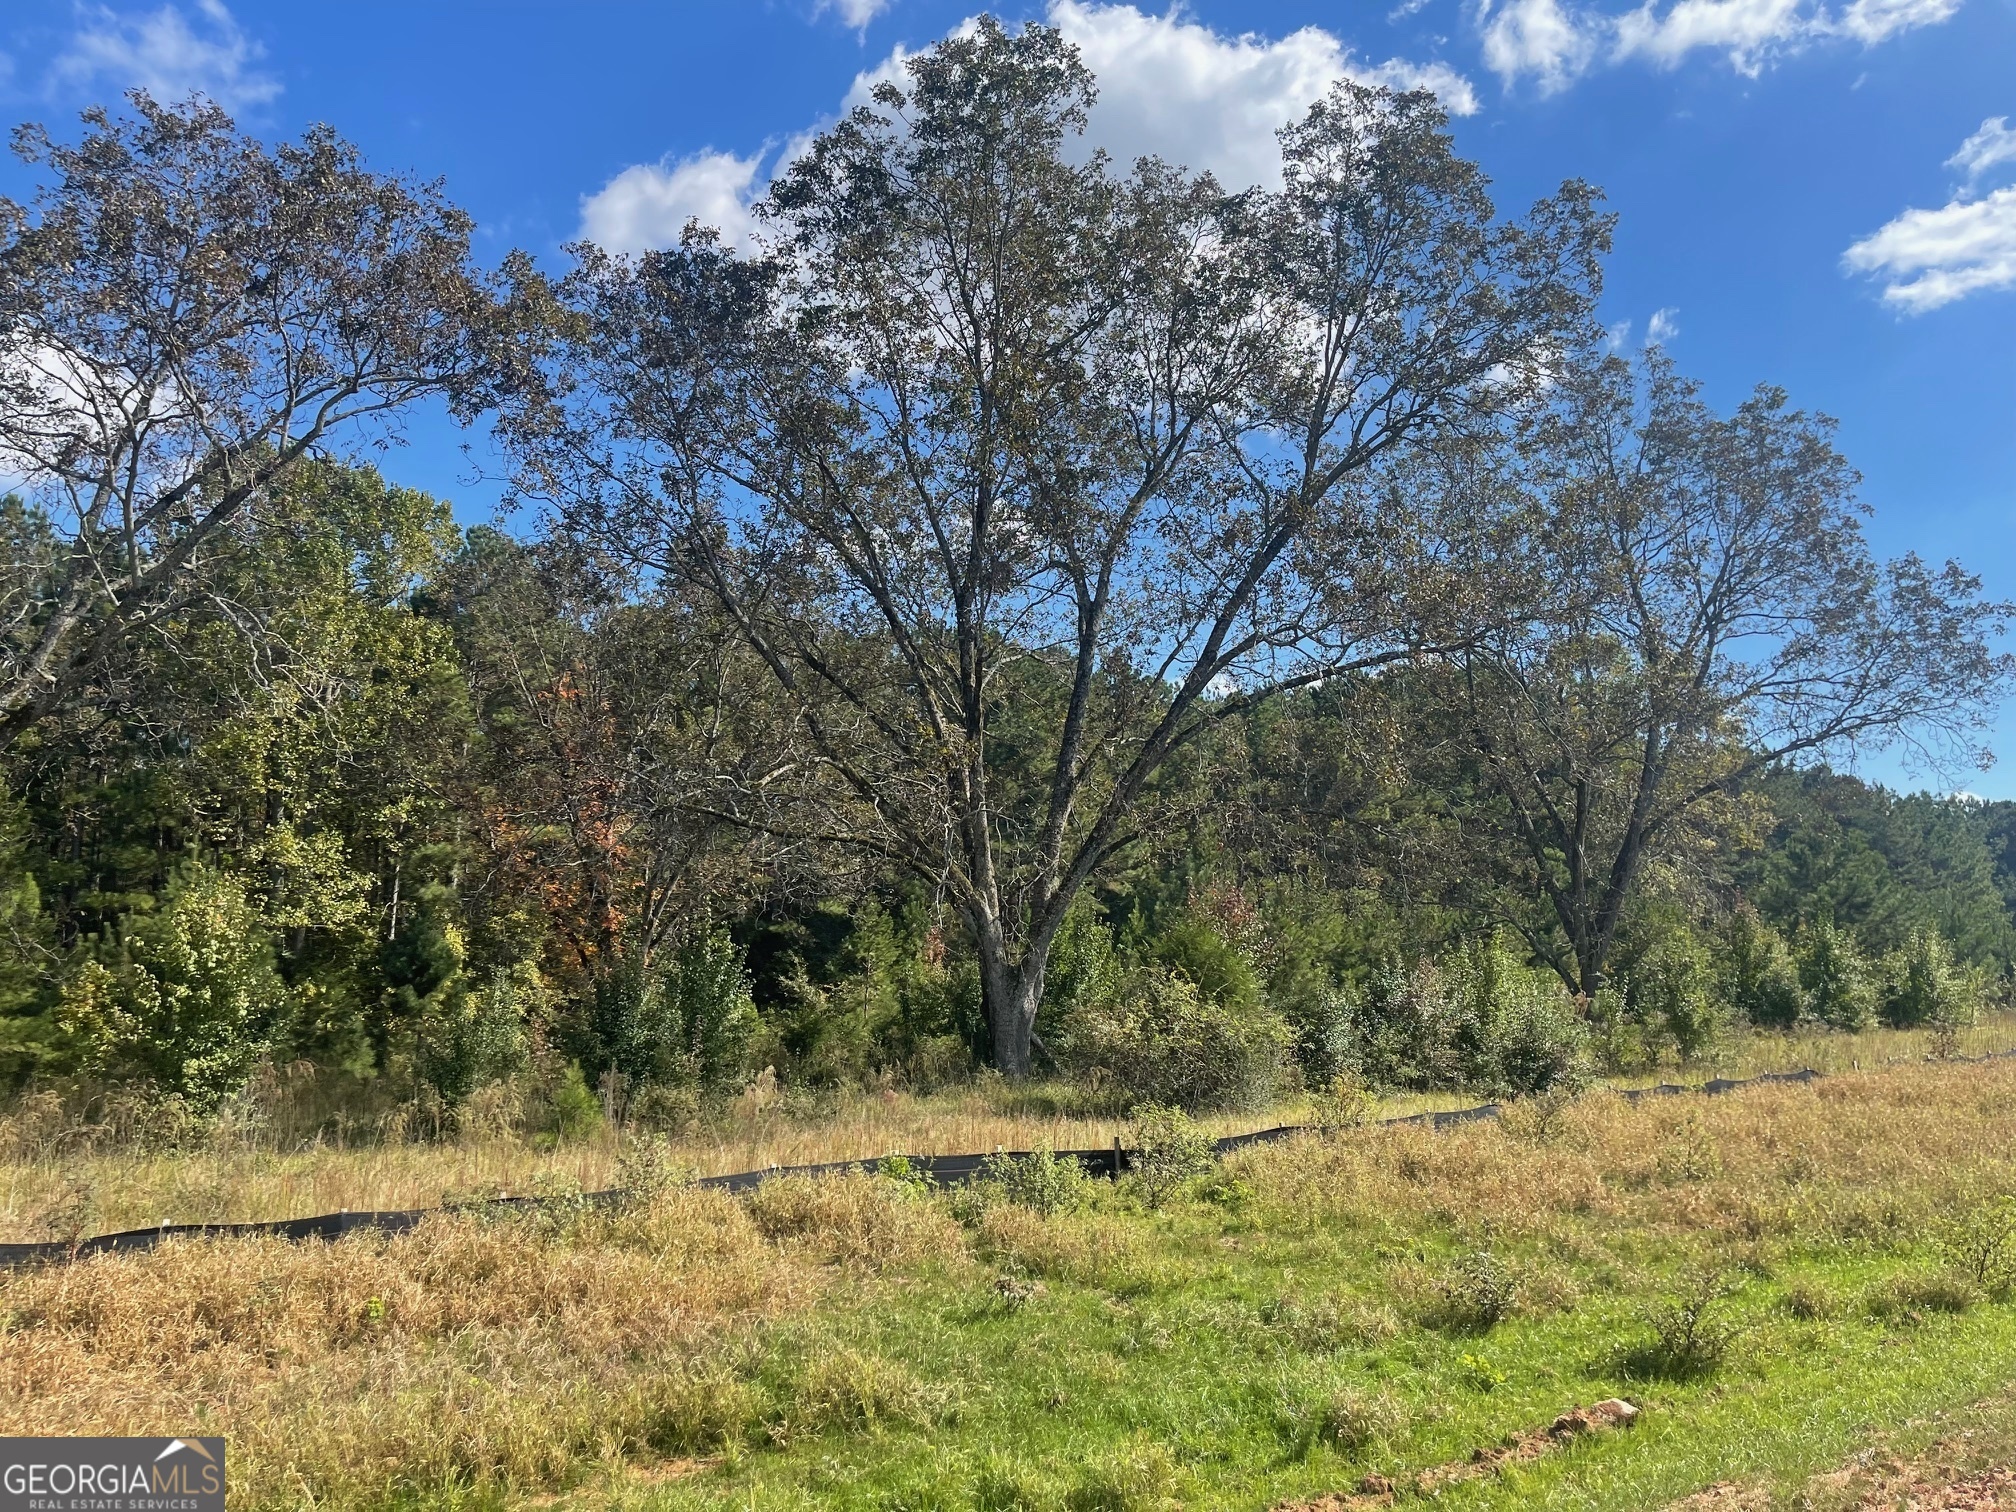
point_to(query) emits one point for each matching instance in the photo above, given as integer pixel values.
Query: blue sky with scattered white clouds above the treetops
(1811, 195)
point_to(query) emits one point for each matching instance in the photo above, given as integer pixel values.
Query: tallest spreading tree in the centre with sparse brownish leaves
(1019, 473)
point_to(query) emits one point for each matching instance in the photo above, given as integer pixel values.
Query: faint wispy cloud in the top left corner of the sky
(168, 55)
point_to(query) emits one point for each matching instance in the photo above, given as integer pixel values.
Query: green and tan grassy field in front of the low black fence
(1378, 1303)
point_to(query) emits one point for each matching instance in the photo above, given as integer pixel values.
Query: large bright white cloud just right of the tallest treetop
(1211, 102)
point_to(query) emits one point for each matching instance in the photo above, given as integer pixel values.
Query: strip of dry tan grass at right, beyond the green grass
(1862, 1158)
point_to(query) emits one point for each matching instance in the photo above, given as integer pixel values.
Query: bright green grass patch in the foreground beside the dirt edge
(1237, 1358)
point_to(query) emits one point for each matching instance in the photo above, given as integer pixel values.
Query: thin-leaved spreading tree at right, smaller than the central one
(1703, 608)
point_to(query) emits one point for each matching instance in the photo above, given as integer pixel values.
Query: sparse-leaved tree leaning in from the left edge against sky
(186, 318)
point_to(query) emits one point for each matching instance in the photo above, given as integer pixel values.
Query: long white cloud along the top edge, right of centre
(1553, 43)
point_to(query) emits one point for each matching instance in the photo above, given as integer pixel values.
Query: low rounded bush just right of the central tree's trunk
(1158, 1039)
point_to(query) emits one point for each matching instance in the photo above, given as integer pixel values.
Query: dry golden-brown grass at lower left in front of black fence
(521, 1354)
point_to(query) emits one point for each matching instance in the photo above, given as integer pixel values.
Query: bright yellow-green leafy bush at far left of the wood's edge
(186, 999)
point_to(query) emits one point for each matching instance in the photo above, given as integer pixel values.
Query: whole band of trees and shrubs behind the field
(1025, 614)
